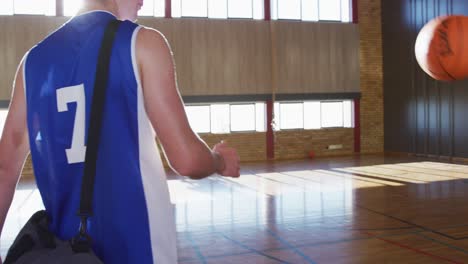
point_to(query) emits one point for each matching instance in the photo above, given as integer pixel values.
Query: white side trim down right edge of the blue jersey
(160, 210)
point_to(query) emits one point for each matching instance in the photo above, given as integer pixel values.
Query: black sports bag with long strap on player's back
(35, 244)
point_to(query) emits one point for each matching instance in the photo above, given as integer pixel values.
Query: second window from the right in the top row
(222, 9)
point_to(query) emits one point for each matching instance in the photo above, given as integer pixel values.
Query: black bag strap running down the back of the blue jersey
(82, 241)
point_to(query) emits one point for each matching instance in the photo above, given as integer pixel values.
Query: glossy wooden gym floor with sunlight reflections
(370, 209)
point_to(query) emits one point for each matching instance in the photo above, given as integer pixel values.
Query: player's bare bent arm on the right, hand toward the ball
(186, 153)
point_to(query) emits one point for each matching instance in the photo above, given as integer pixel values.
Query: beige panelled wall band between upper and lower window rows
(225, 57)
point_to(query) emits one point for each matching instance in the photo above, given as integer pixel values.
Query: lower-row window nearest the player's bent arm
(224, 118)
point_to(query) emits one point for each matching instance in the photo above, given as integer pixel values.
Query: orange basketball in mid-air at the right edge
(442, 48)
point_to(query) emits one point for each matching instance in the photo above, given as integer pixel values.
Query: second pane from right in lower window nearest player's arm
(243, 117)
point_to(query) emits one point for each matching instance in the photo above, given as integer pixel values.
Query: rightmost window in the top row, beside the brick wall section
(312, 10)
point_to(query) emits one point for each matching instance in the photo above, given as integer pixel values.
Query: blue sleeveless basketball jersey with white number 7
(133, 219)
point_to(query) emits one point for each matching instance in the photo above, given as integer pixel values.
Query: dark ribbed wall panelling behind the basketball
(422, 115)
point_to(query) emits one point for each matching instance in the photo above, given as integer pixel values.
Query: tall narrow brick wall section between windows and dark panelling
(372, 127)
